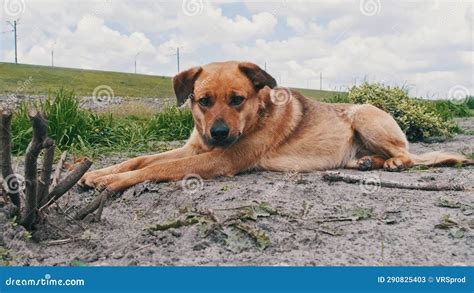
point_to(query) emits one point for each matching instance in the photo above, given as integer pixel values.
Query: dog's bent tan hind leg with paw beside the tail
(380, 134)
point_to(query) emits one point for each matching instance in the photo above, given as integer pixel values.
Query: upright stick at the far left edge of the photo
(6, 160)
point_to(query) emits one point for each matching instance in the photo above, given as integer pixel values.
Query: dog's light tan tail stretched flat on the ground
(440, 159)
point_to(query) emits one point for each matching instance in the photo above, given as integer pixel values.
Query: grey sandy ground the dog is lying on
(263, 218)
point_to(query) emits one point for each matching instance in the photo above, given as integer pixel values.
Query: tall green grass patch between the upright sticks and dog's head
(84, 132)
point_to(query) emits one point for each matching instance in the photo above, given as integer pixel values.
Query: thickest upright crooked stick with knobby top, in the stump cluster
(40, 130)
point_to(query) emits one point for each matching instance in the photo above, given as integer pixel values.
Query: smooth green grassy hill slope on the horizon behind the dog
(37, 80)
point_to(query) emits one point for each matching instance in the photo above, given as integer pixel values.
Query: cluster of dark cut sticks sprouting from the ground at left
(39, 192)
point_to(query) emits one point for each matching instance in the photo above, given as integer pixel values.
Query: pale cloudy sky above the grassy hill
(424, 45)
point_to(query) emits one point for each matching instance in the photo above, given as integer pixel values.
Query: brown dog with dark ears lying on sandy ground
(243, 121)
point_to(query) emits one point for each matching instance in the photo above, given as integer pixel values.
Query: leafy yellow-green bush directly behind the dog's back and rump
(416, 119)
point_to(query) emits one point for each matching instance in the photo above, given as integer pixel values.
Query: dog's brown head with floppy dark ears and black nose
(225, 98)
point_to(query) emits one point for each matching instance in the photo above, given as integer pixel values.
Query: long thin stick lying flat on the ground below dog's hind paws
(332, 176)
